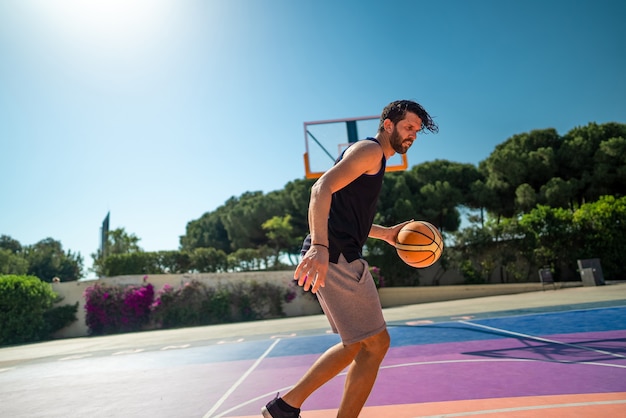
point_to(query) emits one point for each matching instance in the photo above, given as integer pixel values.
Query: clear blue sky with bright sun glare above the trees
(159, 111)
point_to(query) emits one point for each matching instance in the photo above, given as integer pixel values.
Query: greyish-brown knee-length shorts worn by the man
(351, 302)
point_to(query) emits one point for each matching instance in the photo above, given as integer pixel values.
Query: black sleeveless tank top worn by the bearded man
(352, 212)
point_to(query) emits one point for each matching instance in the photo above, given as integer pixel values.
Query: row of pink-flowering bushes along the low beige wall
(113, 308)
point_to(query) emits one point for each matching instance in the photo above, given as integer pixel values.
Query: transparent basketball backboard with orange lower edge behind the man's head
(325, 140)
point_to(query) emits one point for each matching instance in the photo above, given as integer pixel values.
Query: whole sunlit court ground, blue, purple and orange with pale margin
(558, 353)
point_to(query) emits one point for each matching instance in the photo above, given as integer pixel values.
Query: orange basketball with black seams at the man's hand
(419, 244)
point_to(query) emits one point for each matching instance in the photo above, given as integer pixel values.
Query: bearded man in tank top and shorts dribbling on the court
(341, 215)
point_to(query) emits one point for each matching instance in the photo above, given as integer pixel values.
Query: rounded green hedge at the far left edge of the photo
(26, 310)
